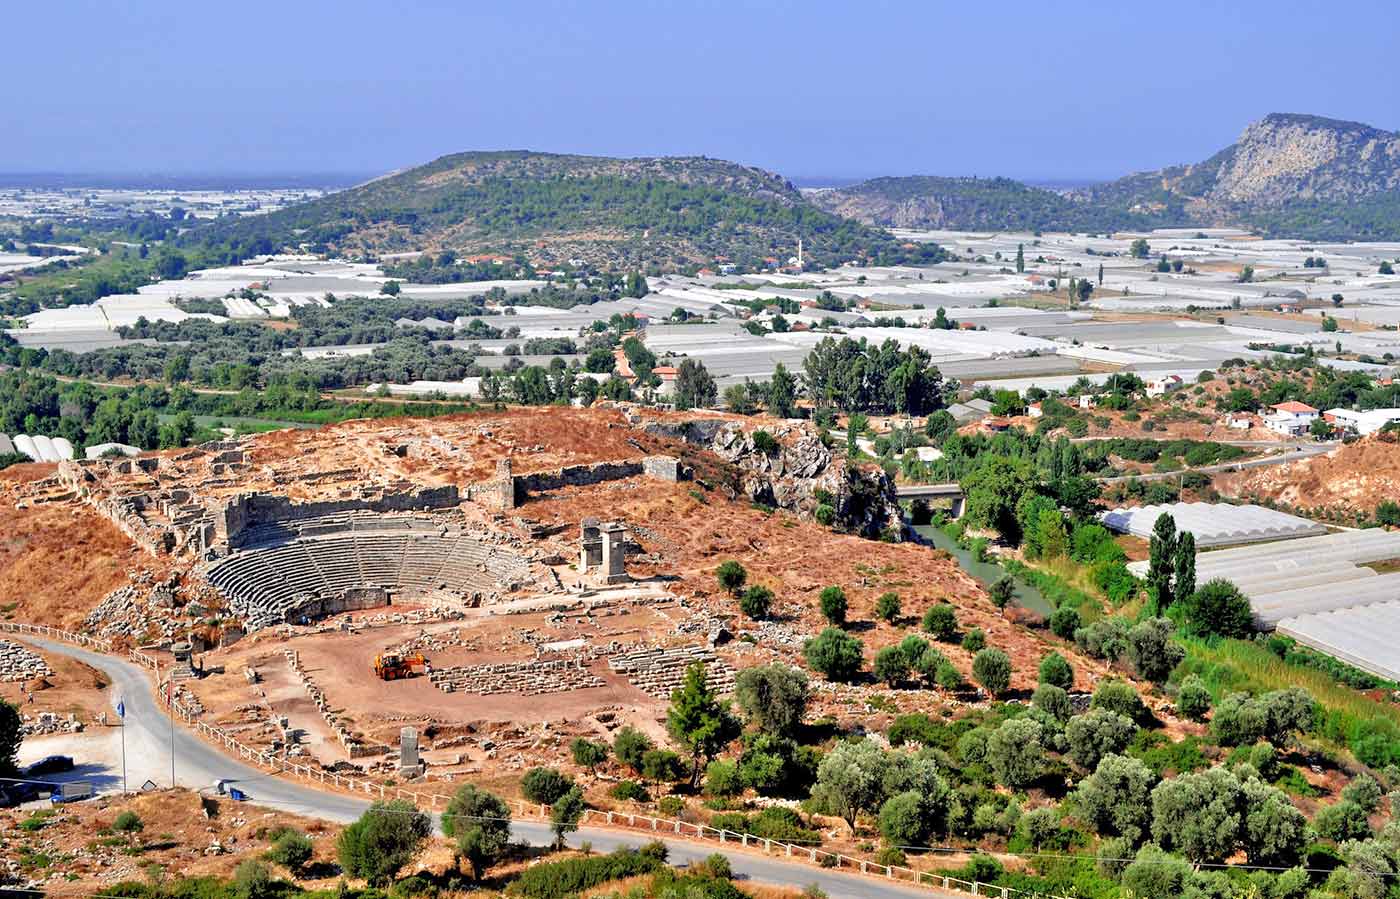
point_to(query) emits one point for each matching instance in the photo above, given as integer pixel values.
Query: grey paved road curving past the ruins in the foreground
(198, 765)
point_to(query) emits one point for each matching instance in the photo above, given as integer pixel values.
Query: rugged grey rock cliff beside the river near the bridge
(793, 470)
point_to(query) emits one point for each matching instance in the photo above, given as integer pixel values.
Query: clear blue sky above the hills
(1030, 90)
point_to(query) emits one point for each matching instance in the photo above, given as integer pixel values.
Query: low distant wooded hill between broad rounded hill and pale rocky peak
(975, 205)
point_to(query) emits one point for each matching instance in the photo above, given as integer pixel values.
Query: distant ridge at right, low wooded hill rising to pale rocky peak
(1289, 174)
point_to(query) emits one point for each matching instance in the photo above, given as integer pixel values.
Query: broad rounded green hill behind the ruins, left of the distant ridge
(612, 212)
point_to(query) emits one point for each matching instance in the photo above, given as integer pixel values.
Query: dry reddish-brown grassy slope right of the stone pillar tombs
(685, 533)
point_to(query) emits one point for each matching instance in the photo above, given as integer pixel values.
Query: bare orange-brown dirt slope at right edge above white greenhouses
(1357, 477)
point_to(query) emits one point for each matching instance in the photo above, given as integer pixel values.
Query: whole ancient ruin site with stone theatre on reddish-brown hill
(499, 583)
